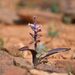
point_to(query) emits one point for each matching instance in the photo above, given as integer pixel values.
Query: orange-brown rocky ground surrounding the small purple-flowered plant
(15, 33)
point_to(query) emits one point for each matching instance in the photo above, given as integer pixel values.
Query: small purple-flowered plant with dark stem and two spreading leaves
(37, 60)
